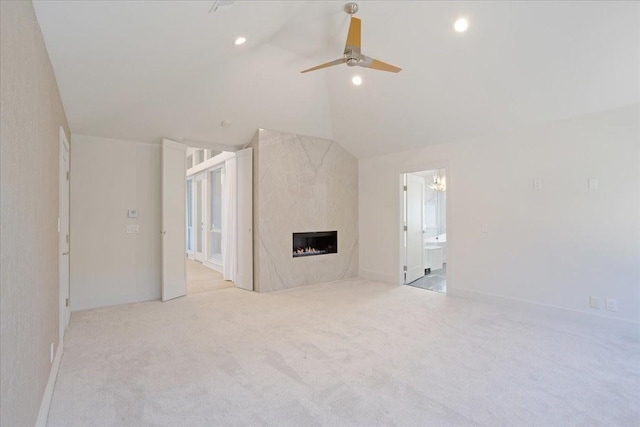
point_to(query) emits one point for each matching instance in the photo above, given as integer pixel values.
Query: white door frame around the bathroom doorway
(451, 230)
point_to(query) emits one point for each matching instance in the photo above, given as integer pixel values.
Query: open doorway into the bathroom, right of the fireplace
(425, 229)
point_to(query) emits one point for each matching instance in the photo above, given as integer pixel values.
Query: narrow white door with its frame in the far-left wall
(64, 284)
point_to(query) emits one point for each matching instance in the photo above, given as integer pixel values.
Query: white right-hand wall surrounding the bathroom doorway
(554, 246)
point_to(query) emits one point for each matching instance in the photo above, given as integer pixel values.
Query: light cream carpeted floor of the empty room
(347, 353)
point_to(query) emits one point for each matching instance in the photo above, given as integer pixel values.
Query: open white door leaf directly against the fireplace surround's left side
(244, 277)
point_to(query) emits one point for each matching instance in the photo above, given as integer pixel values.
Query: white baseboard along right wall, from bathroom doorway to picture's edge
(552, 311)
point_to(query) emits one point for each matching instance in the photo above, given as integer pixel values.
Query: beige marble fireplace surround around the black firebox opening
(302, 184)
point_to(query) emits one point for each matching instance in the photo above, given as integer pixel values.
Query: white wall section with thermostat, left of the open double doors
(109, 266)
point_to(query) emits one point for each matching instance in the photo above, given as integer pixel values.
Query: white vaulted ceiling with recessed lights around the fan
(143, 70)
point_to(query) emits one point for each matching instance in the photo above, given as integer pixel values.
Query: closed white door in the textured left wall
(63, 236)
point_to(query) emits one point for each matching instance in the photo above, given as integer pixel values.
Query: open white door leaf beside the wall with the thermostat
(174, 271)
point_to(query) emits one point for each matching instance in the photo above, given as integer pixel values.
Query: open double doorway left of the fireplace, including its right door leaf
(219, 223)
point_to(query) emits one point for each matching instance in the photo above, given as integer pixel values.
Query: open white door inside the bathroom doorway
(414, 220)
